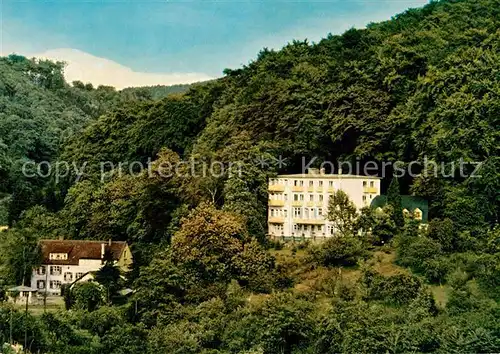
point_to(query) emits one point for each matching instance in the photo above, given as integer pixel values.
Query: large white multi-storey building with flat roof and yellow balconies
(298, 204)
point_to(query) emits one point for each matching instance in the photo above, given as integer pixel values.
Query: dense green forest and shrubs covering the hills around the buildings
(424, 85)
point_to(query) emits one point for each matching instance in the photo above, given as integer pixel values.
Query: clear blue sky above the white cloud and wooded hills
(181, 36)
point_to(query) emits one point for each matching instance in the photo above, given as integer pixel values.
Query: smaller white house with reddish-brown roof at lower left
(66, 261)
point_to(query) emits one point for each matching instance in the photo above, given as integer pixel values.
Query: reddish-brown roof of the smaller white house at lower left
(79, 249)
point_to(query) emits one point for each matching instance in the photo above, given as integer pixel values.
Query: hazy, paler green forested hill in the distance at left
(39, 114)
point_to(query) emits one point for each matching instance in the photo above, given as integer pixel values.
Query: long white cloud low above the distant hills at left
(101, 71)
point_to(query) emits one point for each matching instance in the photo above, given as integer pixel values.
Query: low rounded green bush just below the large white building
(338, 251)
